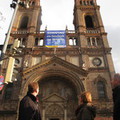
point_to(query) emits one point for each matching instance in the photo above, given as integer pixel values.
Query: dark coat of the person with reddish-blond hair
(85, 112)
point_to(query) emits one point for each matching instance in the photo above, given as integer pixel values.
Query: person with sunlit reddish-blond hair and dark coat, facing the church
(86, 110)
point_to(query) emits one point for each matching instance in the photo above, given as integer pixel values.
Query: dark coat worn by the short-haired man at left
(29, 109)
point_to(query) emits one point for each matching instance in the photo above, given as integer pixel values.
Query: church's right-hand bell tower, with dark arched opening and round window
(95, 51)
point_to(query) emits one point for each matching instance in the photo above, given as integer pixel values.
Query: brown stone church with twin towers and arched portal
(63, 73)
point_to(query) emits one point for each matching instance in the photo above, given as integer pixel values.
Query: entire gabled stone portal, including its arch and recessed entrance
(60, 84)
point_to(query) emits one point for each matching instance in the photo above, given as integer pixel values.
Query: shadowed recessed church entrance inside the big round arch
(58, 98)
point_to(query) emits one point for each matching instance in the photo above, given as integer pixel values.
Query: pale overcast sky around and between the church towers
(57, 14)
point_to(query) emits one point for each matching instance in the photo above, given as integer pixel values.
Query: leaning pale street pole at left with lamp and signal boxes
(10, 68)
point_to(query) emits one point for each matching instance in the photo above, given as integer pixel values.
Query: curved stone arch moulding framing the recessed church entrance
(74, 78)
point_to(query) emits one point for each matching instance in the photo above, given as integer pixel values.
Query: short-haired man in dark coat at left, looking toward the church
(29, 108)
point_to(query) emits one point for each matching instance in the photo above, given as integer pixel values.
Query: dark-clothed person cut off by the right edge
(116, 97)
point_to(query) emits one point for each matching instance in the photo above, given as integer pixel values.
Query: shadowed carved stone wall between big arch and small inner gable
(59, 87)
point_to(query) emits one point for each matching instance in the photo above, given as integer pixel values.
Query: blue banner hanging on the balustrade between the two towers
(55, 38)
